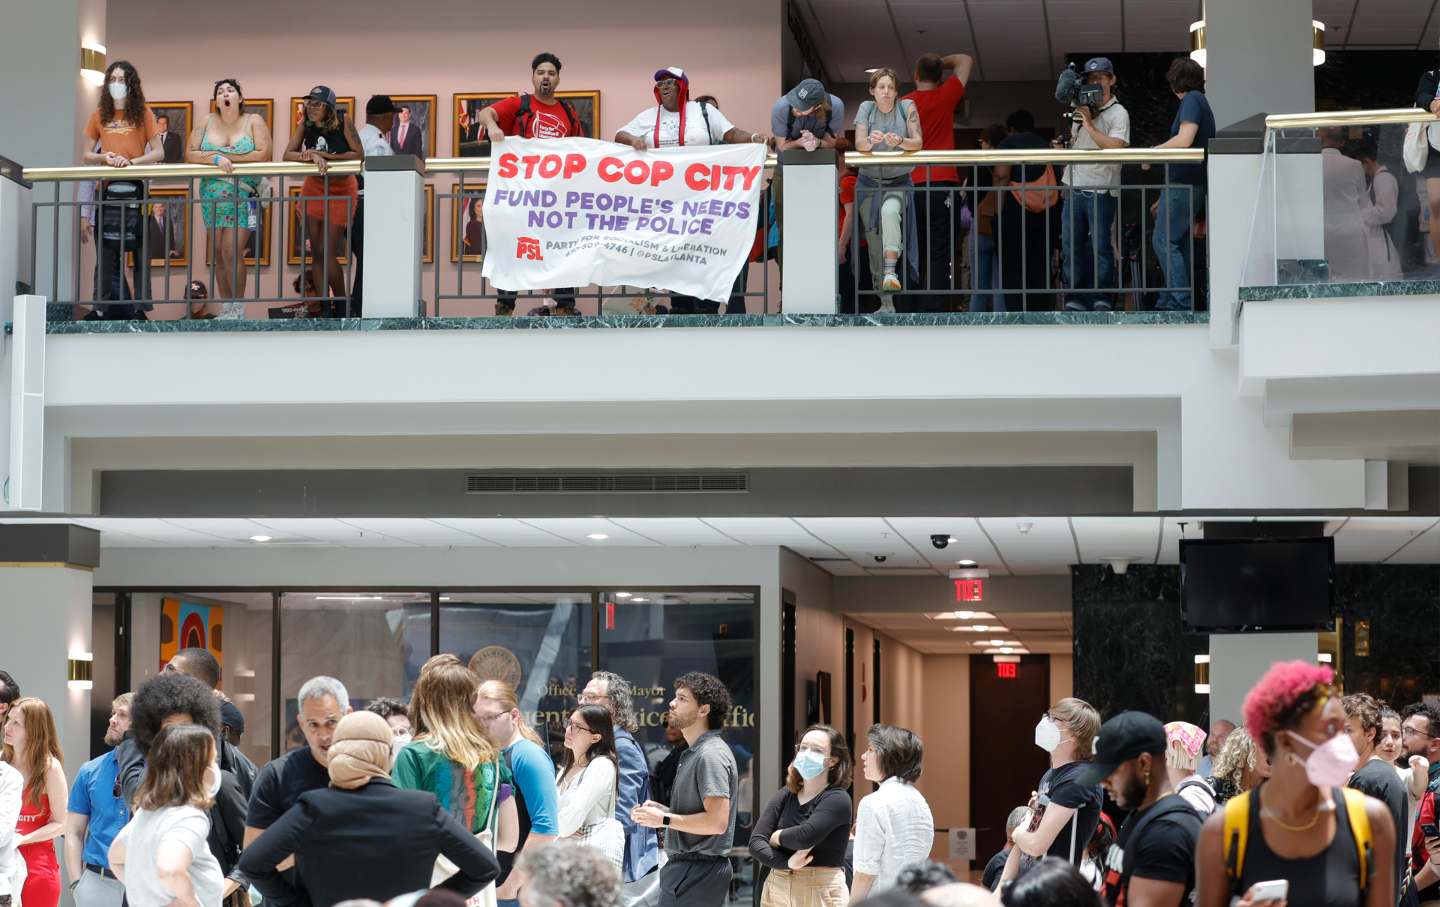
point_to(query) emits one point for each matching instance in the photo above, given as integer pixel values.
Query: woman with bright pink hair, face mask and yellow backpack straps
(1301, 837)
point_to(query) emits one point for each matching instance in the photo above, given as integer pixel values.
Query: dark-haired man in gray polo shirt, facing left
(701, 817)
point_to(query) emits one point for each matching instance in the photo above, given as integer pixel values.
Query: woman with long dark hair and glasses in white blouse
(588, 784)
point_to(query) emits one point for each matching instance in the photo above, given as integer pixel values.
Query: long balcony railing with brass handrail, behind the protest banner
(1128, 237)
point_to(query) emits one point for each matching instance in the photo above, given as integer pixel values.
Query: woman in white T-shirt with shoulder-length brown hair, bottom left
(162, 856)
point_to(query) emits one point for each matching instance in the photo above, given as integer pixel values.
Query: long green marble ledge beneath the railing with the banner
(618, 322)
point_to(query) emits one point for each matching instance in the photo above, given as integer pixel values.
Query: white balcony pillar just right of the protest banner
(810, 233)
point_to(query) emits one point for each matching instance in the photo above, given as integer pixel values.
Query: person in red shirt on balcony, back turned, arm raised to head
(938, 211)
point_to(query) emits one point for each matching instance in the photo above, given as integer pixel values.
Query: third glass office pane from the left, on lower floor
(536, 641)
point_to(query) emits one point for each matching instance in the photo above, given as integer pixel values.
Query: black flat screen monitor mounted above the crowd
(1232, 585)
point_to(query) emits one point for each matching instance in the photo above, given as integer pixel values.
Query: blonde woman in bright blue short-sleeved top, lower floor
(498, 709)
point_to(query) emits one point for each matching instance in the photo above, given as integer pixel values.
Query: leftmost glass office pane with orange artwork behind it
(235, 627)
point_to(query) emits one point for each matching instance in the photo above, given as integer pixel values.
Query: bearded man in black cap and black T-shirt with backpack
(1153, 863)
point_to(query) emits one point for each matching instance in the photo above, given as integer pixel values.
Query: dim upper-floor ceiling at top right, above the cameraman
(1029, 40)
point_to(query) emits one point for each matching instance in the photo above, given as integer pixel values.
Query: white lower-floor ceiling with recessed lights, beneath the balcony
(845, 546)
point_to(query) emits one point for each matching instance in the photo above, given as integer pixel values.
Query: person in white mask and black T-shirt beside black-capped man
(1063, 811)
